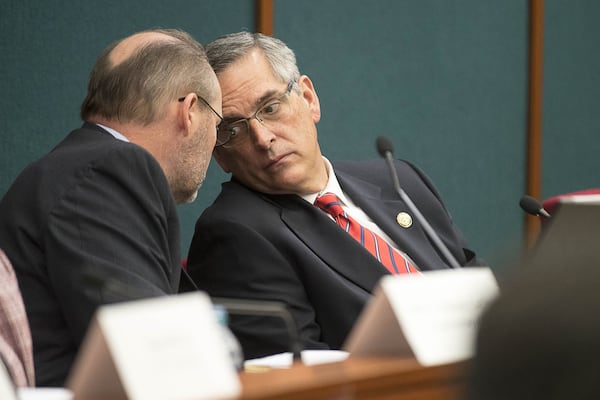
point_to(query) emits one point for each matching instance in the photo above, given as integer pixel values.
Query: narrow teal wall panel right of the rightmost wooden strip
(571, 101)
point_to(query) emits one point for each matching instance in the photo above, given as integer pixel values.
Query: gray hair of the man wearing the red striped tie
(227, 49)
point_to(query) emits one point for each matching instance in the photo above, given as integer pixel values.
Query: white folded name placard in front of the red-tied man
(432, 317)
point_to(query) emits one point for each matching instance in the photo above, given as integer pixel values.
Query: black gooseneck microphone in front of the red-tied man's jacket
(385, 149)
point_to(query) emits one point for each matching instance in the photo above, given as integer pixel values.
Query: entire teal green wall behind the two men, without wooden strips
(445, 80)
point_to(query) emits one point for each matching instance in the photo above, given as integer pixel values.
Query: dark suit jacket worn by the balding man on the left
(97, 204)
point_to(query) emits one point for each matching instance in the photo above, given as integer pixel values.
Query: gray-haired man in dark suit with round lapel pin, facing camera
(264, 239)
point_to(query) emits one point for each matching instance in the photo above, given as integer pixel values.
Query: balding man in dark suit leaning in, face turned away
(102, 203)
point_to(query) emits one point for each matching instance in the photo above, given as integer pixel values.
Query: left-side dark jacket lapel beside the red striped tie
(330, 243)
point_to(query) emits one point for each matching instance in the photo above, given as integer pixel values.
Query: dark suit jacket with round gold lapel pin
(249, 245)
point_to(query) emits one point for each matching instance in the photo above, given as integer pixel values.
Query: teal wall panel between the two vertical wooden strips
(445, 80)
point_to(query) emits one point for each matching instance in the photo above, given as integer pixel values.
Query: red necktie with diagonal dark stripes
(391, 258)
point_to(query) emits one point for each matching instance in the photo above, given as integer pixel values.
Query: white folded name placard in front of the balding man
(162, 348)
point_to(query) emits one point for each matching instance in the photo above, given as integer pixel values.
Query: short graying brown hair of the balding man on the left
(139, 88)
